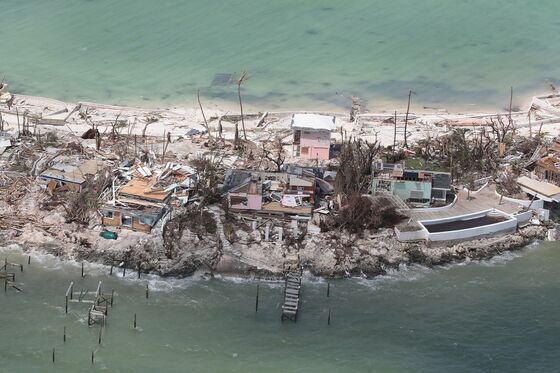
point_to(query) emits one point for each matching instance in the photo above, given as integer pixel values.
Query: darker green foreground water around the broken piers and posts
(496, 316)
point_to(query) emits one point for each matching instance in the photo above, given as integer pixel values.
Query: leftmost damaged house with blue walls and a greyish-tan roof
(69, 177)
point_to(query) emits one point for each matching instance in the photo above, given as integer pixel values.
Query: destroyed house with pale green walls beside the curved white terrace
(414, 187)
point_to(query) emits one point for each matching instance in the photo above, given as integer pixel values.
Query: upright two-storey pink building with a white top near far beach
(312, 135)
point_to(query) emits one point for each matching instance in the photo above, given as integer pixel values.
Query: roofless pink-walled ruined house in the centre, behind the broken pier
(269, 192)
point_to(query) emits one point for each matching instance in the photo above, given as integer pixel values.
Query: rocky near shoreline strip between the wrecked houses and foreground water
(360, 263)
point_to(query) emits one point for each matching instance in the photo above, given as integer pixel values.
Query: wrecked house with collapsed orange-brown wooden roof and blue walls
(138, 205)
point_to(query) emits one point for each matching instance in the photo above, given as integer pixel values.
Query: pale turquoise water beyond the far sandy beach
(310, 54)
